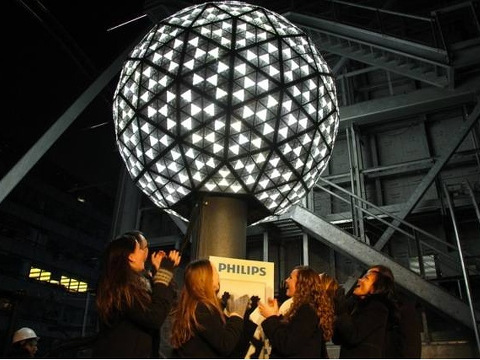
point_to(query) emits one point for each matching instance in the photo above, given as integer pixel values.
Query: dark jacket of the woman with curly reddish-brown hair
(301, 337)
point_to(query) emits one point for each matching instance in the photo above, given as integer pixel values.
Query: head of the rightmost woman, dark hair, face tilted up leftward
(378, 279)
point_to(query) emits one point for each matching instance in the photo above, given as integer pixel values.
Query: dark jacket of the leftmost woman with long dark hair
(134, 333)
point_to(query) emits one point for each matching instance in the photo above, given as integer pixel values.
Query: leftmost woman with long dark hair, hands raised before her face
(130, 309)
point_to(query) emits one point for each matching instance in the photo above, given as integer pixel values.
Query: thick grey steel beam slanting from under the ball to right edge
(346, 244)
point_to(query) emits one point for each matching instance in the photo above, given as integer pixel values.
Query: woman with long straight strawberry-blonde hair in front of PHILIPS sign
(200, 328)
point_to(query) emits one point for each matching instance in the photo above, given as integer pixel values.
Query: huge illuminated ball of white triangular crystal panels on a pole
(225, 98)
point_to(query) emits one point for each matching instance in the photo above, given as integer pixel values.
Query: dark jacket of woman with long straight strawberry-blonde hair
(213, 338)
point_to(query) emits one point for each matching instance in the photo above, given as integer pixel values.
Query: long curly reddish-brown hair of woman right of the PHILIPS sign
(308, 290)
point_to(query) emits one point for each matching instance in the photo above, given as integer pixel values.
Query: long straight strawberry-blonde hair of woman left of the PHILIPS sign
(197, 288)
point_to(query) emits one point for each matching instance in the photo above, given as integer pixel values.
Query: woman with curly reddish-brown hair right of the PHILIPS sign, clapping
(307, 325)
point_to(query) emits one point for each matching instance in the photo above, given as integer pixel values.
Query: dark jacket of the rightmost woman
(361, 332)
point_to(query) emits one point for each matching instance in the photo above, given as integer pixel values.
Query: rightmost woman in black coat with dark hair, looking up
(361, 327)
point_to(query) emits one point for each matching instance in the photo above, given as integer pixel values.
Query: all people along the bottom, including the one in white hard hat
(133, 304)
